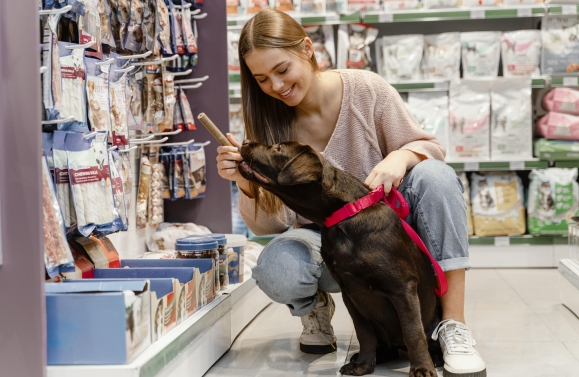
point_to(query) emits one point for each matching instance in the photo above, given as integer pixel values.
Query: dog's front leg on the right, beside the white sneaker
(408, 307)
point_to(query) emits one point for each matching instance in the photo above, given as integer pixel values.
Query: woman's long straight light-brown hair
(267, 119)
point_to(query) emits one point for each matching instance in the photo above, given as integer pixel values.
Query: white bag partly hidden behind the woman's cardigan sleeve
(430, 109)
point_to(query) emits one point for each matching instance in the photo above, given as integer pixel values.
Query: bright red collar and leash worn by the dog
(392, 199)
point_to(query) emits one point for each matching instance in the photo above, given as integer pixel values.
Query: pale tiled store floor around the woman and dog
(520, 327)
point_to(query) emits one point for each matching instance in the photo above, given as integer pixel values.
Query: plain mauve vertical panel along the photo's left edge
(22, 313)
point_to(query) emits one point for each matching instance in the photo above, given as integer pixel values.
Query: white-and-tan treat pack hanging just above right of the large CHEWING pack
(98, 95)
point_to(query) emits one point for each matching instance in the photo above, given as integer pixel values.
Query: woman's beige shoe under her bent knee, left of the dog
(318, 335)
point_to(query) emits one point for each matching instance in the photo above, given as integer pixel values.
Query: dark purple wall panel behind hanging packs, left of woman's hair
(213, 211)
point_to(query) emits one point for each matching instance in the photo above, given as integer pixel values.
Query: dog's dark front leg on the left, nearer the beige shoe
(366, 360)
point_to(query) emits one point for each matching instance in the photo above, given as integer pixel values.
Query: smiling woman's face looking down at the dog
(281, 74)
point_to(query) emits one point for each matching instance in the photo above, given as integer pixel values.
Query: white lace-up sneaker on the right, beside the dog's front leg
(460, 357)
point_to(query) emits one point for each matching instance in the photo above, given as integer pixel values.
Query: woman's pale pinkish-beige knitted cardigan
(373, 122)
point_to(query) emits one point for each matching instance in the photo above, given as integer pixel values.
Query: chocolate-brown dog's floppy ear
(304, 168)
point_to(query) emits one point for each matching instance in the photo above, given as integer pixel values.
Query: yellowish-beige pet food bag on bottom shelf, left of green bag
(497, 204)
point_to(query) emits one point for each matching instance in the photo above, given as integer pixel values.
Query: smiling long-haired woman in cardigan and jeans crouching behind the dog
(359, 123)
